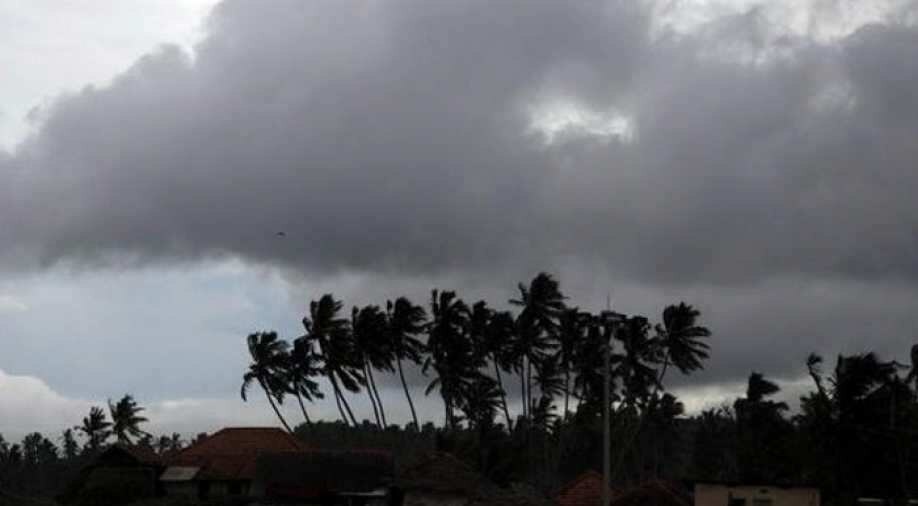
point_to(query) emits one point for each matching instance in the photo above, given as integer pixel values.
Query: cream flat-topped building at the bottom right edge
(735, 494)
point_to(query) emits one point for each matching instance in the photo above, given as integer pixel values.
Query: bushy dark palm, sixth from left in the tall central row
(450, 350)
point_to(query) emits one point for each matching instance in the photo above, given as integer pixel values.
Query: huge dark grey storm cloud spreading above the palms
(396, 139)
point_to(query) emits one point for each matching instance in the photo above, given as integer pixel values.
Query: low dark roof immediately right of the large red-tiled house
(316, 472)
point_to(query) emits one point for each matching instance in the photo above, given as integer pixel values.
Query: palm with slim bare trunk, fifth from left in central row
(404, 322)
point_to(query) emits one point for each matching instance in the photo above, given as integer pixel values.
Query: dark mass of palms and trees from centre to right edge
(522, 396)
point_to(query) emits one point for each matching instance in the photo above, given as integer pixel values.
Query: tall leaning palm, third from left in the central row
(342, 364)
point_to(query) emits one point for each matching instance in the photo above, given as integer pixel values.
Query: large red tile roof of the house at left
(231, 453)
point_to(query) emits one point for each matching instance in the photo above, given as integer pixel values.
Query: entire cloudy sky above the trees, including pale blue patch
(755, 159)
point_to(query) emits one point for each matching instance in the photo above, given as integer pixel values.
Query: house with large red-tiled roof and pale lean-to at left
(224, 464)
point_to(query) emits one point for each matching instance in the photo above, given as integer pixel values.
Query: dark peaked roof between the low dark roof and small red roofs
(443, 473)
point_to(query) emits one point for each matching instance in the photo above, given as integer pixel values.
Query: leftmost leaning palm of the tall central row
(269, 361)
